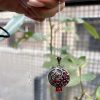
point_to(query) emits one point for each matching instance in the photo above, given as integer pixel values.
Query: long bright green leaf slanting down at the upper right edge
(91, 30)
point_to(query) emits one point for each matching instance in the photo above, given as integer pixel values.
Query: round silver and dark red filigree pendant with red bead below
(58, 77)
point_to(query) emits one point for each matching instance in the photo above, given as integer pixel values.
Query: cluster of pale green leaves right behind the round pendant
(72, 64)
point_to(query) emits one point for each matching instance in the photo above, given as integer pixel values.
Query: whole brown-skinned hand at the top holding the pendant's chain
(34, 9)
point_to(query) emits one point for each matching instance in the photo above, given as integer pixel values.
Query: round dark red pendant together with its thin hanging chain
(58, 77)
